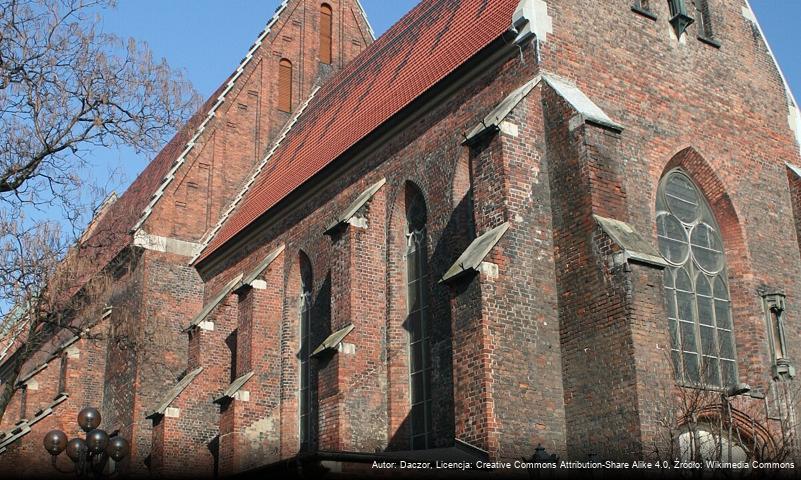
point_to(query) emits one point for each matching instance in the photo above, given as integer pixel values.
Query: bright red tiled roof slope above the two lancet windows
(426, 45)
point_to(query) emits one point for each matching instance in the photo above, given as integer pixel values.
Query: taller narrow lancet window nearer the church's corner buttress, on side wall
(418, 320)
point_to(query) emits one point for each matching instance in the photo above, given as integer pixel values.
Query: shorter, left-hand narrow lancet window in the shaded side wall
(305, 403)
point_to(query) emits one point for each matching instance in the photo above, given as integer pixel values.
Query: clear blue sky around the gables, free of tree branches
(208, 38)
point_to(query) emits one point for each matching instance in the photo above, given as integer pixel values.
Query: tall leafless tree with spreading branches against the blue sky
(66, 90)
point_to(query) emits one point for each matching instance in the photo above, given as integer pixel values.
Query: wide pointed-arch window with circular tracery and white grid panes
(696, 285)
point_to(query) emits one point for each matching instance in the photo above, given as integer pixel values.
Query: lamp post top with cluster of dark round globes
(89, 455)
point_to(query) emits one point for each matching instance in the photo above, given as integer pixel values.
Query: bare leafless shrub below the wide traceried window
(704, 424)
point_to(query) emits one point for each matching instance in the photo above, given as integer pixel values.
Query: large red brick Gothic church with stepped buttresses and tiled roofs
(502, 225)
